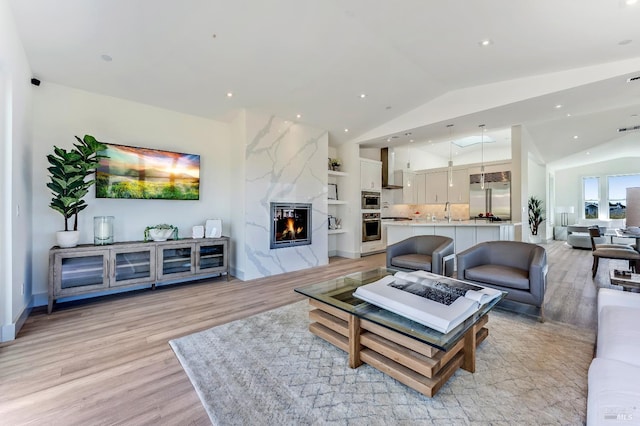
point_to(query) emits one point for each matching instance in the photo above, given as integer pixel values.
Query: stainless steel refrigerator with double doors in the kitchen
(494, 198)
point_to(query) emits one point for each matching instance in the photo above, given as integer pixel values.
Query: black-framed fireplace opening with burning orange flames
(290, 224)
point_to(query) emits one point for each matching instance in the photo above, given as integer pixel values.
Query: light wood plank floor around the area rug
(108, 361)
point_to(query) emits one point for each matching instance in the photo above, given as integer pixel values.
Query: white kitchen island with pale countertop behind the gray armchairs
(465, 233)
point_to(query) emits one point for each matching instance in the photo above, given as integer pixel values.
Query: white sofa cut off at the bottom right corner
(614, 374)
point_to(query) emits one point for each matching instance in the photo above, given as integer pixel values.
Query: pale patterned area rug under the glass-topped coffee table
(268, 369)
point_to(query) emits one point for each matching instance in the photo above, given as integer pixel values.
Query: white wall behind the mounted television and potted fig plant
(61, 112)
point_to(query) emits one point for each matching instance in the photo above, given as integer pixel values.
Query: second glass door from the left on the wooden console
(133, 265)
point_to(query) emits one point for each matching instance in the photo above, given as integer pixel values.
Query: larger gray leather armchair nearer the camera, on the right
(516, 267)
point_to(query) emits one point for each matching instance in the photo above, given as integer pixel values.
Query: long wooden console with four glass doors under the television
(88, 269)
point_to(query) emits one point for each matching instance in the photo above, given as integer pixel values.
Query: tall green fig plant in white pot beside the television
(68, 171)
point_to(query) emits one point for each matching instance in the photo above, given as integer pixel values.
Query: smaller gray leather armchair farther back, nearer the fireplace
(422, 252)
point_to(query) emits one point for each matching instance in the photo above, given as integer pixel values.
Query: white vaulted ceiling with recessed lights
(420, 64)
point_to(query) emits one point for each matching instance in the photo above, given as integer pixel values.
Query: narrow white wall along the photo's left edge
(15, 177)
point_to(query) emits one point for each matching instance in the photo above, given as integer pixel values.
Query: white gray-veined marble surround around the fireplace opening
(284, 162)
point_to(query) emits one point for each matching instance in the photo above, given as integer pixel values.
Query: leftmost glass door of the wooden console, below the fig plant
(77, 273)
